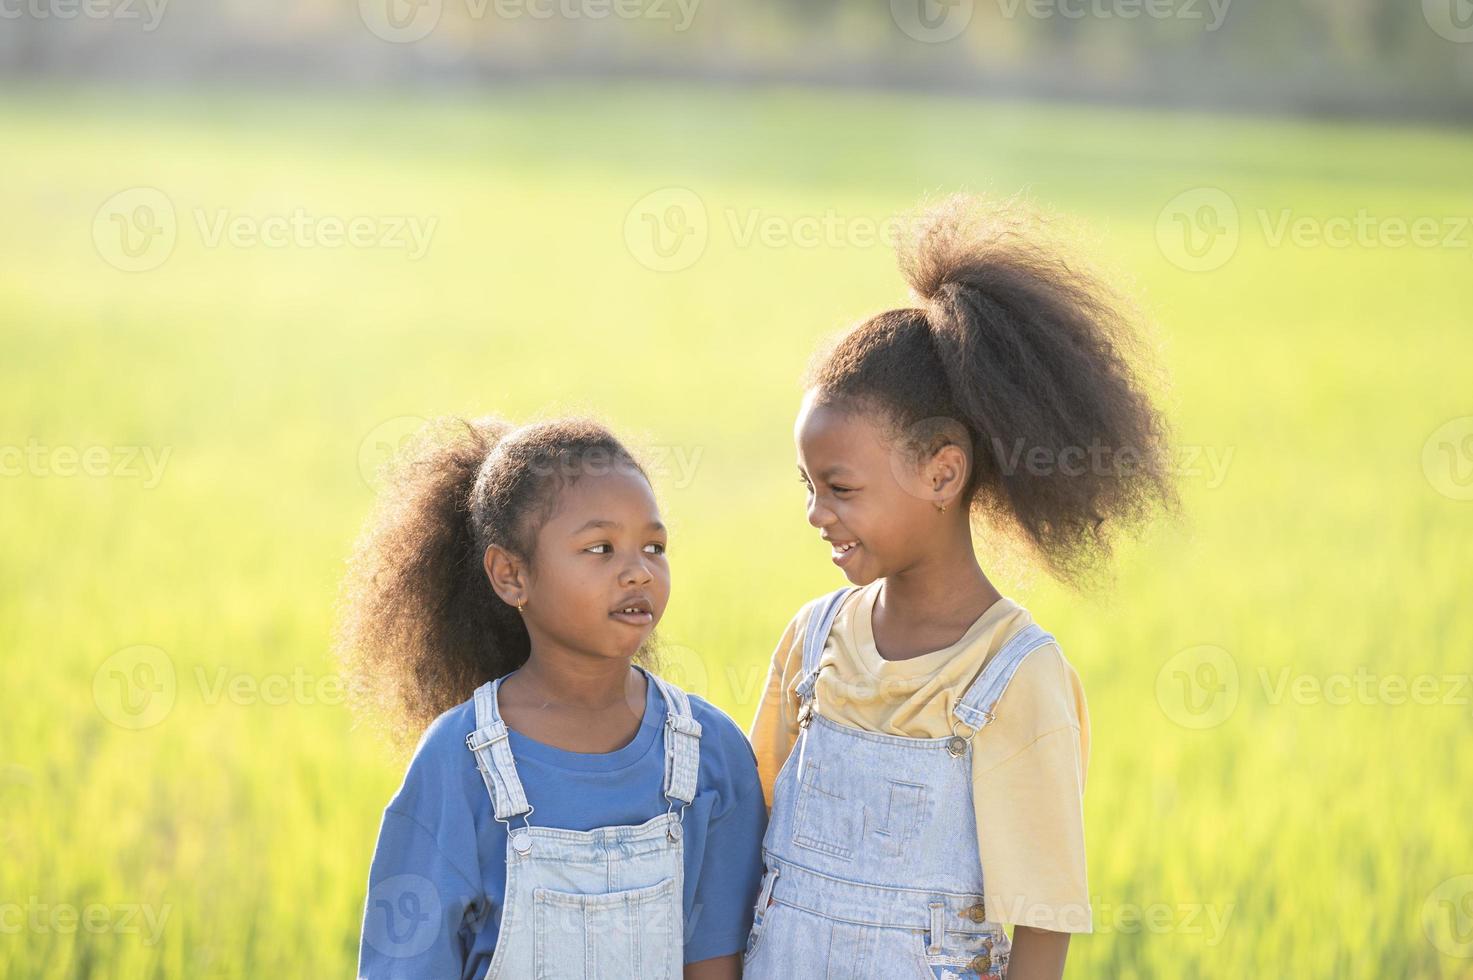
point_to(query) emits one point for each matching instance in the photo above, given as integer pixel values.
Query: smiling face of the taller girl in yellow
(874, 505)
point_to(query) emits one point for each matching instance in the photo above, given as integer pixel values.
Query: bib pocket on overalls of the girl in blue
(605, 937)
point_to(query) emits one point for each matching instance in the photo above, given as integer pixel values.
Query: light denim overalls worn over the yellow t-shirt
(871, 854)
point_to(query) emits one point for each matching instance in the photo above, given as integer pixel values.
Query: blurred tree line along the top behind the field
(1319, 57)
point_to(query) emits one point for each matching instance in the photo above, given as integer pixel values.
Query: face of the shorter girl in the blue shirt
(600, 580)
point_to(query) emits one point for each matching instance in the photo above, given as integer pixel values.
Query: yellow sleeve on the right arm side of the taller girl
(1029, 770)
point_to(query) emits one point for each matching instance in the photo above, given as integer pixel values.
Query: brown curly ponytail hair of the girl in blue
(419, 626)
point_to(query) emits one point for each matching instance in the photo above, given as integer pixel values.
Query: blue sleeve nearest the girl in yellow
(731, 863)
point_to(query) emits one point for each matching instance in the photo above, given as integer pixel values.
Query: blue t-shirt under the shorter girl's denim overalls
(440, 872)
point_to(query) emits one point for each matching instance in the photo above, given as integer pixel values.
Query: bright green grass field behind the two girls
(182, 788)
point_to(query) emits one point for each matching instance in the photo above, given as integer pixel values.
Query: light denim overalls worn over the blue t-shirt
(591, 906)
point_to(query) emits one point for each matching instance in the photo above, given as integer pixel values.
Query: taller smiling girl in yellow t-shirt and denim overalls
(923, 743)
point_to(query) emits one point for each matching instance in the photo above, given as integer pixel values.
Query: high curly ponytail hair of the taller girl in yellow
(1023, 353)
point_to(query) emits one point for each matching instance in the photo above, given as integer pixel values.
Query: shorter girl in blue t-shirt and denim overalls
(566, 813)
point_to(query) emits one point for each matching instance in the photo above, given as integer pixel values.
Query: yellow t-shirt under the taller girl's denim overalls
(1027, 764)
